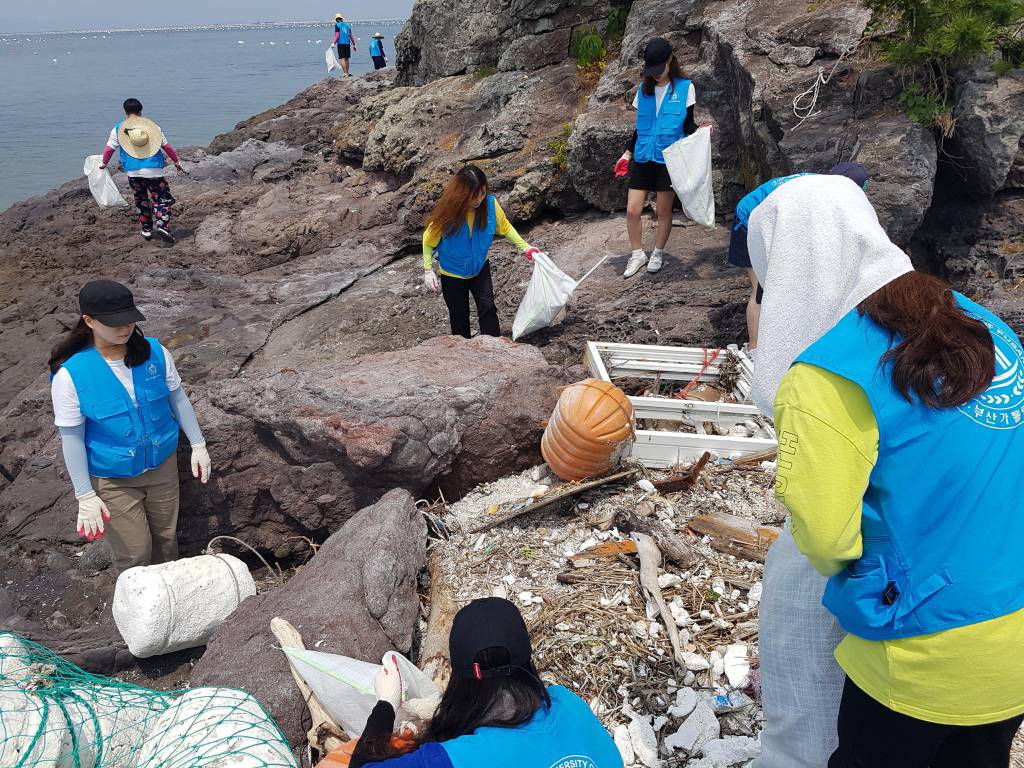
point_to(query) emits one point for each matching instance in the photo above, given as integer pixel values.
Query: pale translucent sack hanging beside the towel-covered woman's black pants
(801, 682)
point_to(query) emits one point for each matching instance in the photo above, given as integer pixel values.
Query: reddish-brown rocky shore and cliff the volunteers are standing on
(293, 301)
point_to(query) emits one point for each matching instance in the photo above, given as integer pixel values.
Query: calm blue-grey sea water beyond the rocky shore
(194, 83)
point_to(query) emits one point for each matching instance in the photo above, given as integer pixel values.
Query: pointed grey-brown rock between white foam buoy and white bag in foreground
(358, 598)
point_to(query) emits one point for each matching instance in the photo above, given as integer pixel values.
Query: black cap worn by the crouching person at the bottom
(490, 623)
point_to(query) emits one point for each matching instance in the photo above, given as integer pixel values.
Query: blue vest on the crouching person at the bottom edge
(568, 736)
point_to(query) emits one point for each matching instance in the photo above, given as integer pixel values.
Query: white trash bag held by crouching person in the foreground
(346, 687)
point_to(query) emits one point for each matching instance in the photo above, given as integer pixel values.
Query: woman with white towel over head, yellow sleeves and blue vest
(902, 449)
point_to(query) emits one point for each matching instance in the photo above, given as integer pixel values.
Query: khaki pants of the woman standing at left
(143, 530)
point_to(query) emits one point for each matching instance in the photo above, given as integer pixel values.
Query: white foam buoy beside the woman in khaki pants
(175, 606)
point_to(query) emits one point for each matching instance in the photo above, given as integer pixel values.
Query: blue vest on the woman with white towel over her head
(944, 535)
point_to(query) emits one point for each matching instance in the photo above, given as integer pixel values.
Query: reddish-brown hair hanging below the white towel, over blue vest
(945, 357)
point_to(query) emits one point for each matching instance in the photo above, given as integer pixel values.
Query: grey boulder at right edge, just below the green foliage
(990, 116)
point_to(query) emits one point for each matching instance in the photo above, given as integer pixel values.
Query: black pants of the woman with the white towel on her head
(872, 736)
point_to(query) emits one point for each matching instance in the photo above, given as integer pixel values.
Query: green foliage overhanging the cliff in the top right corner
(930, 37)
